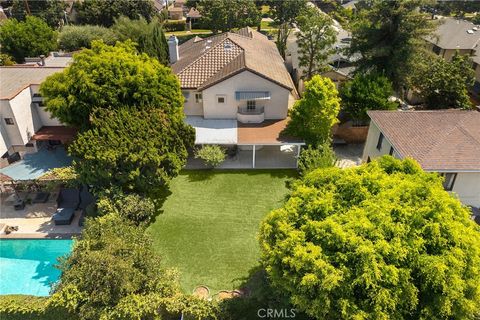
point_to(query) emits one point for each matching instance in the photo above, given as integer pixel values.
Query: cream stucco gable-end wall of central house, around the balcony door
(275, 108)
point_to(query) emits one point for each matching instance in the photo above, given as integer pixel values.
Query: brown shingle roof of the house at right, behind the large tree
(442, 140)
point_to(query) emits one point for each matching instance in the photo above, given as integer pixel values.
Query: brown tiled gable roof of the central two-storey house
(205, 62)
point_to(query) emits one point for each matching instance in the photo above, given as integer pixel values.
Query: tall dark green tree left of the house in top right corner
(388, 35)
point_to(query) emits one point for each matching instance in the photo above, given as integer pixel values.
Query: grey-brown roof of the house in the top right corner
(452, 34)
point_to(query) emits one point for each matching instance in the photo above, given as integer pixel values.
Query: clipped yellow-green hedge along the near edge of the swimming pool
(24, 307)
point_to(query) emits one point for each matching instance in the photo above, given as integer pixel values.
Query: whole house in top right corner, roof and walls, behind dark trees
(454, 35)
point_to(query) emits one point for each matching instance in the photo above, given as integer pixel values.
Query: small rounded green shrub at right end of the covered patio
(312, 158)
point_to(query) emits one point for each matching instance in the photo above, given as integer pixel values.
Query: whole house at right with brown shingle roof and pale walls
(443, 141)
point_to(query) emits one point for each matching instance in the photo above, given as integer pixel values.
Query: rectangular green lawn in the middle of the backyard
(208, 228)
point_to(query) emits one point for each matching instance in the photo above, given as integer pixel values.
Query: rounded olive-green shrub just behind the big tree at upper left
(73, 38)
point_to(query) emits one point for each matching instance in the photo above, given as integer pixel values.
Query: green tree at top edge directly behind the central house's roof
(225, 15)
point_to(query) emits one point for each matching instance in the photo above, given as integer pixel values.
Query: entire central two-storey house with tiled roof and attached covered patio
(237, 93)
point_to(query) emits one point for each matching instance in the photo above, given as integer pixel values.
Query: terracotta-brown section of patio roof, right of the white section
(268, 132)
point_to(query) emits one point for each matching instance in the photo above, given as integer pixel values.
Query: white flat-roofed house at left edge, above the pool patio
(23, 119)
